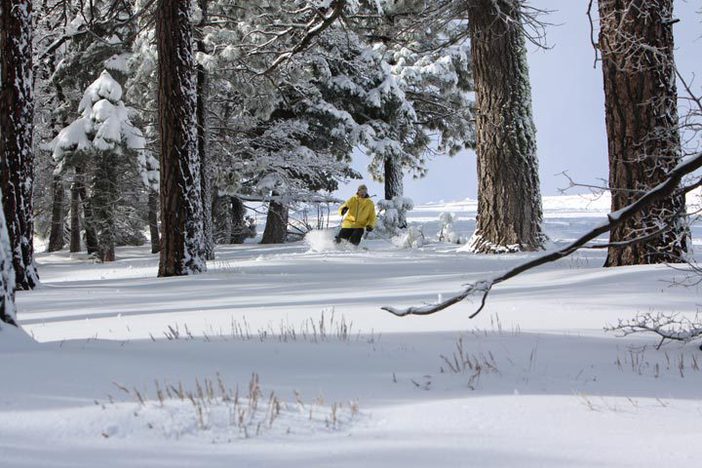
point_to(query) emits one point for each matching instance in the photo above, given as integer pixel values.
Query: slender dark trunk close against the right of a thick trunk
(205, 172)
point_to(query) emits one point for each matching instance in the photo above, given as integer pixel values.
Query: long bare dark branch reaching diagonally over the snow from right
(483, 287)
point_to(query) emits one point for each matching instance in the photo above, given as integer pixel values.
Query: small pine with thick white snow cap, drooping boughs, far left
(105, 136)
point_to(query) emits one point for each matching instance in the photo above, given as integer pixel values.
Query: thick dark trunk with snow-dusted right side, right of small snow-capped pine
(182, 246)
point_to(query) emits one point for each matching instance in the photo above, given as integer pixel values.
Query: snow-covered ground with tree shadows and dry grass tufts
(281, 356)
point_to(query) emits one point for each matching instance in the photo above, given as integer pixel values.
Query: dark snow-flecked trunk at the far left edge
(16, 131)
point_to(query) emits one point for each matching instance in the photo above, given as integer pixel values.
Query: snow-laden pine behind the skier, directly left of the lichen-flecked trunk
(427, 48)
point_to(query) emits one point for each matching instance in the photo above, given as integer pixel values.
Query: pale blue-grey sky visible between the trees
(568, 104)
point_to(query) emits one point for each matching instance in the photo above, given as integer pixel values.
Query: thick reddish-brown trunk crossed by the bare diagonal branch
(636, 41)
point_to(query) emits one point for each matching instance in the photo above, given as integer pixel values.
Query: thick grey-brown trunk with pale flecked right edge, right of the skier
(509, 200)
